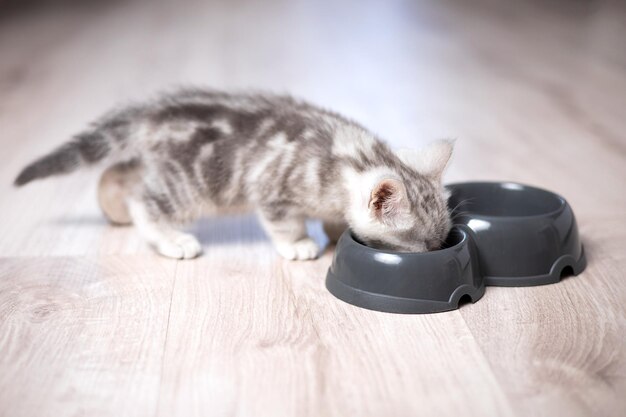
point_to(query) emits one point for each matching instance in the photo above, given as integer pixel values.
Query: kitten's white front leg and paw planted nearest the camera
(290, 237)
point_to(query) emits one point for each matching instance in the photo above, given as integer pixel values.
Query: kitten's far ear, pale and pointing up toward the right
(431, 160)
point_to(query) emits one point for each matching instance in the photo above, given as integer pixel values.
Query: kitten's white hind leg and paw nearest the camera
(164, 238)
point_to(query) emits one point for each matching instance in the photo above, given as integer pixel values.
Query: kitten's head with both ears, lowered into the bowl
(408, 212)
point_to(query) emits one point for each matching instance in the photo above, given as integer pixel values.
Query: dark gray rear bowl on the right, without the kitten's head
(523, 235)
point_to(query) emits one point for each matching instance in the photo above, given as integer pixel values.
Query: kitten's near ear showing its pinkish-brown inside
(388, 199)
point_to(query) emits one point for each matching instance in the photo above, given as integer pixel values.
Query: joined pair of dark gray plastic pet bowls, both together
(505, 234)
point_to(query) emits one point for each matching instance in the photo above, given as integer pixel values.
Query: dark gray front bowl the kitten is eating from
(398, 282)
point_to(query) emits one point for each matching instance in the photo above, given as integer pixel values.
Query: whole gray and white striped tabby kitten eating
(197, 152)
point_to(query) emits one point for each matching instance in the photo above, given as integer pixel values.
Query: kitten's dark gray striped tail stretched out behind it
(87, 148)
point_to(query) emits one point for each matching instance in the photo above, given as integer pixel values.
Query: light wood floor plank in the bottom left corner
(82, 336)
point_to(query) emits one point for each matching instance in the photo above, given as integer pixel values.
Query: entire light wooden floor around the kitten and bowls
(93, 324)
